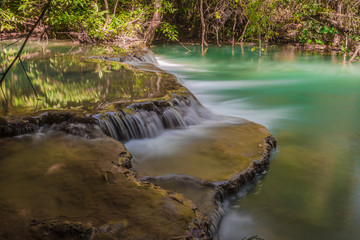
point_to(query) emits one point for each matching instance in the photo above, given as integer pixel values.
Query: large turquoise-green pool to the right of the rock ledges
(311, 104)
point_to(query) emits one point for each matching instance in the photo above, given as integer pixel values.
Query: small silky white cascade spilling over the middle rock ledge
(150, 119)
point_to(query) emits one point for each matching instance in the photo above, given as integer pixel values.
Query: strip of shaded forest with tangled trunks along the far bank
(331, 23)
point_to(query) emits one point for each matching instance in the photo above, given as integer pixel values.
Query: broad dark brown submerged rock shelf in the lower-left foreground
(87, 197)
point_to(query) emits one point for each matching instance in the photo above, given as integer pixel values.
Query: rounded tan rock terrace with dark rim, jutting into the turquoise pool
(207, 168)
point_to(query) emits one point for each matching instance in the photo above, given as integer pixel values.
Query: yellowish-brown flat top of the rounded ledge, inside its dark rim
(224, 152)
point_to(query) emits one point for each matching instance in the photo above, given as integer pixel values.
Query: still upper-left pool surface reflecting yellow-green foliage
(65, 78)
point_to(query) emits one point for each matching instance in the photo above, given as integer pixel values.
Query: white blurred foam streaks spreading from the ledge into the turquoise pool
(219, 104)
